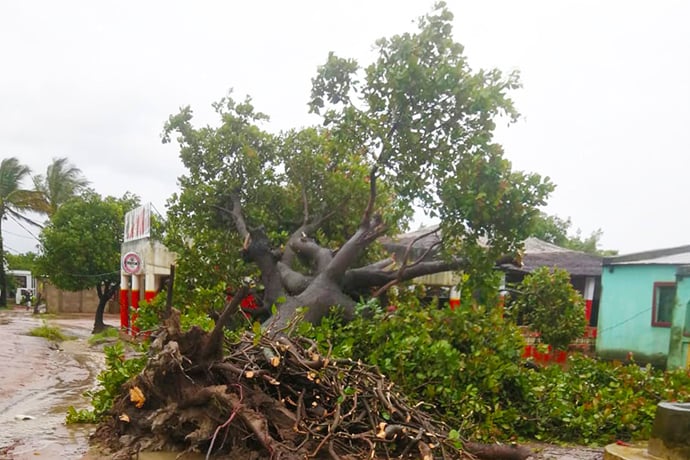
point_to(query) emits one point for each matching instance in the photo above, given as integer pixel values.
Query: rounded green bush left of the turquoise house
(551, 306)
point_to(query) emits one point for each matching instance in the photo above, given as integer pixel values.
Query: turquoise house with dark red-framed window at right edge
(643, 308)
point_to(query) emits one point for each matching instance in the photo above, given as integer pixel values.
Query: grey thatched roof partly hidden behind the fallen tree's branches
(537, 253)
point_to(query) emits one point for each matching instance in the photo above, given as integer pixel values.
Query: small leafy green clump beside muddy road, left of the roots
(118, 369)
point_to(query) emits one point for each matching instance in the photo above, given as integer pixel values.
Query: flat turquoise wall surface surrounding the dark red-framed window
(625, 313)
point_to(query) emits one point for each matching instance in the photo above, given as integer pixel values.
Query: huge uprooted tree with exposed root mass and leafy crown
(302, 213)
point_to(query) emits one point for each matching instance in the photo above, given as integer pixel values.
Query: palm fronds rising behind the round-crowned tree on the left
(61, 182)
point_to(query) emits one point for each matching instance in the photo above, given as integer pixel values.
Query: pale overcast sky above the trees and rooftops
(605, 102)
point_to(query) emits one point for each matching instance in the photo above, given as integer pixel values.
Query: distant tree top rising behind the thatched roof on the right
(555, 230)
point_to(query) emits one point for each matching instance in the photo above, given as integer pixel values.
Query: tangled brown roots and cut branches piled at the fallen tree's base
(271, 396)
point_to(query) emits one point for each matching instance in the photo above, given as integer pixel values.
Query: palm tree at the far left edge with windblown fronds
(14, 202)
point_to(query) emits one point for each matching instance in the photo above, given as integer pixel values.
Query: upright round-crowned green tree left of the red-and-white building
(81, 246)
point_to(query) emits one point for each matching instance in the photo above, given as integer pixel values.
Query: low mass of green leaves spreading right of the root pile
(465, 364)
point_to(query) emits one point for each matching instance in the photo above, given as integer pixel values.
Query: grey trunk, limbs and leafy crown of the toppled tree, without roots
(303, 210)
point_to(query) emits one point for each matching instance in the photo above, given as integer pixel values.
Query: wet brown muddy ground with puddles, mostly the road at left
(39, 380)
